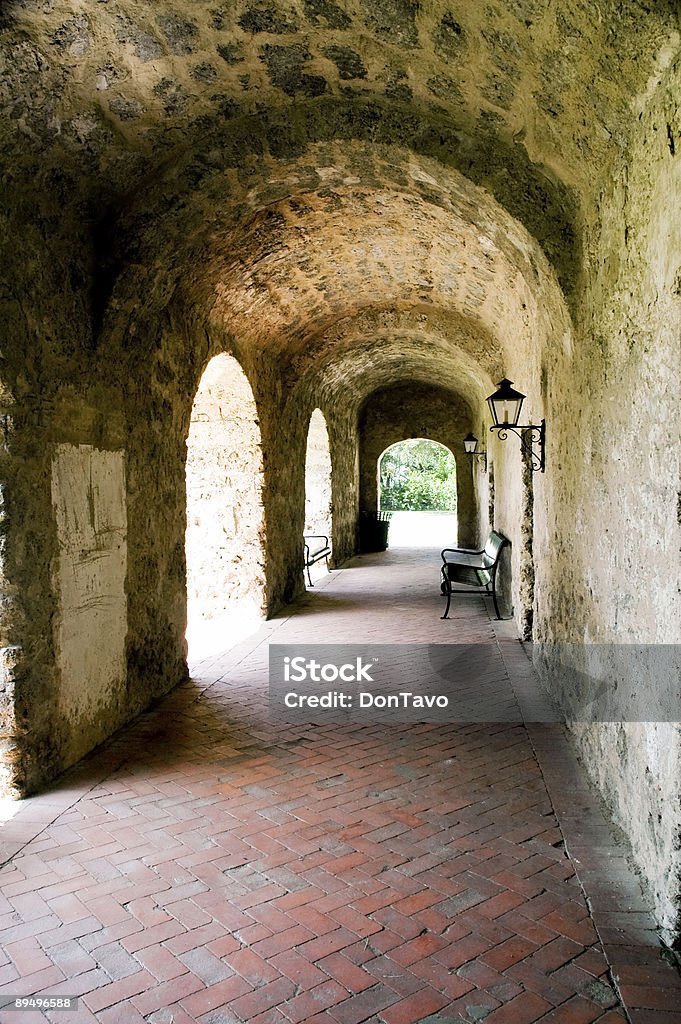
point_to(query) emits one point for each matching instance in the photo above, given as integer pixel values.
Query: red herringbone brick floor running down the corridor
(212, 866)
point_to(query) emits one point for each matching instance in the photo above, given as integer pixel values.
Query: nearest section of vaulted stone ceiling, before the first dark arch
(112, 92)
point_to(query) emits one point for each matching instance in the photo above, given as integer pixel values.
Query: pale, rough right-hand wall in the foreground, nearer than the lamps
(614, 539)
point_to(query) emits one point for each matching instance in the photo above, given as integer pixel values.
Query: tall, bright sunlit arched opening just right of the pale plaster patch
(225, 511)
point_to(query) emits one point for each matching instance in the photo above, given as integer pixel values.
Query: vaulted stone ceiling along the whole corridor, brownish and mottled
(286, 167)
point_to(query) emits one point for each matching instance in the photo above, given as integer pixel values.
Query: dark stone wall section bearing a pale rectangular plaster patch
(57, 415)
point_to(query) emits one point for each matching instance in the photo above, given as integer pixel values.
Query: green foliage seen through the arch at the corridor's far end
(418, 477)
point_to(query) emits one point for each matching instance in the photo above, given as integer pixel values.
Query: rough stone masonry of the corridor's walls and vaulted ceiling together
(345, 198)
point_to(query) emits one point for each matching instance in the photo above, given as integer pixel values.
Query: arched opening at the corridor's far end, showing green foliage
(417, 484)
